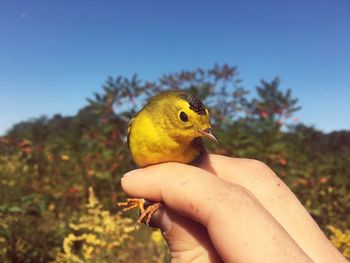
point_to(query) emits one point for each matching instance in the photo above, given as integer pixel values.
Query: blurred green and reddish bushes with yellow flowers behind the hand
(47, 165)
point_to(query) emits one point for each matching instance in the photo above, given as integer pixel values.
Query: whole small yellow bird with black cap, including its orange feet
(168, 128)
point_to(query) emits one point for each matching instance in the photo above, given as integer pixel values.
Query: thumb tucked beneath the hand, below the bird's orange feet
(187, 240)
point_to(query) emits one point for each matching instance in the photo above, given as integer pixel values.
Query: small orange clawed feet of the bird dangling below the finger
(145, 213)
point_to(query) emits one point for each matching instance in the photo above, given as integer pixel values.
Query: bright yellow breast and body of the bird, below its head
(151, 143)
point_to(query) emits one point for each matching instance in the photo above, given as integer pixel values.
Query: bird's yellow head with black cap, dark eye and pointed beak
(188, 118)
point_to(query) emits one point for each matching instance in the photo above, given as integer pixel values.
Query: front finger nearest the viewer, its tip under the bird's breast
(236, 222)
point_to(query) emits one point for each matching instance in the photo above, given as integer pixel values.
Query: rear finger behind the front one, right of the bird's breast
(278, 199)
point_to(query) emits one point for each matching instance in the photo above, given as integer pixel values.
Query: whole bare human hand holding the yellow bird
(231, 210)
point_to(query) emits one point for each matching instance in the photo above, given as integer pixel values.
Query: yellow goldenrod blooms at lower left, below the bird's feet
(101, 237)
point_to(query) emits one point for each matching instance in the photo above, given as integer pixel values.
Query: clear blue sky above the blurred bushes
(54, 54)
